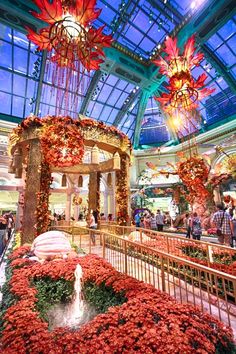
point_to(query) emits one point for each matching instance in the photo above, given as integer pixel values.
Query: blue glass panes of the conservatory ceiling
(139, 26)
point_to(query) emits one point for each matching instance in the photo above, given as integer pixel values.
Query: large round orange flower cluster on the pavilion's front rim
(62, 142)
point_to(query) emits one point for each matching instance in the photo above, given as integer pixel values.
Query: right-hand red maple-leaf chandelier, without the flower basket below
(184, 90)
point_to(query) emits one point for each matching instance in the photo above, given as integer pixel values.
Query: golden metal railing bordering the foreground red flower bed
(211, 290)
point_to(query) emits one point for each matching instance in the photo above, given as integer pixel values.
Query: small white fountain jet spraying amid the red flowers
(75, 313)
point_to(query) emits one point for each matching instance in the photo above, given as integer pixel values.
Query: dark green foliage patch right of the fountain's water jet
(102, 297)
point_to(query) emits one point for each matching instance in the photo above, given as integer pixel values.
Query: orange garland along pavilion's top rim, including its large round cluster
(61, 137)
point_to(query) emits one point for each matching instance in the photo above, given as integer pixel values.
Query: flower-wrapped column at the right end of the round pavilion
(123, 191)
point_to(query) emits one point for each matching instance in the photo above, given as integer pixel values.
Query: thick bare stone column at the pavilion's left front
(32, 188)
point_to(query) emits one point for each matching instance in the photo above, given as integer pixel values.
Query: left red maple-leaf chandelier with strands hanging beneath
(74, 46)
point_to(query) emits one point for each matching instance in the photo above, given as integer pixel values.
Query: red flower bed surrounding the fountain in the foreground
(146, 320)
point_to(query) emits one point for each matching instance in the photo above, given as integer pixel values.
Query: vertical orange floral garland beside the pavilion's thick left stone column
(42, 214)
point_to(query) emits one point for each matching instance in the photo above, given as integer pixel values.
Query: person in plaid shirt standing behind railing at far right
(223, 223)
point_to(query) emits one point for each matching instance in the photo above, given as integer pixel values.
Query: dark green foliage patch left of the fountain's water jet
(51, 292)
